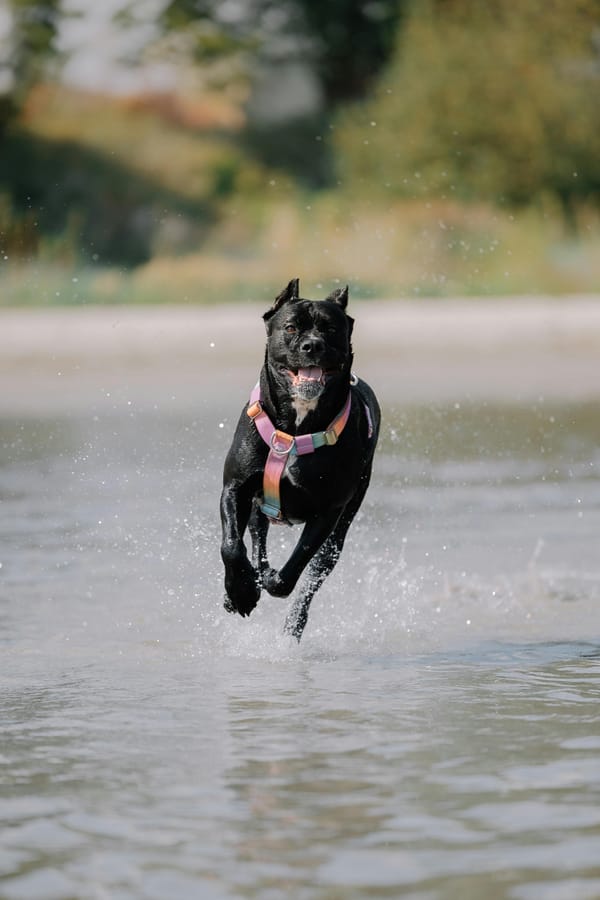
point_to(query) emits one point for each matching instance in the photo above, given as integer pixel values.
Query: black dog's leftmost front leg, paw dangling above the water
(241, 583)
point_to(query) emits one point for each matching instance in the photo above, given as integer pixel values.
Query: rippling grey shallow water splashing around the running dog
(435, 735)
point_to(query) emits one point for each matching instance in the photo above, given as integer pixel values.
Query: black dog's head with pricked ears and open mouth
(308, 343)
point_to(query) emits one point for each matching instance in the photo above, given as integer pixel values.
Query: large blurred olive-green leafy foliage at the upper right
(495, 101)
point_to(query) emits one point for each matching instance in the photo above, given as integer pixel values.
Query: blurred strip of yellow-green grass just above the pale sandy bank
(406, 251)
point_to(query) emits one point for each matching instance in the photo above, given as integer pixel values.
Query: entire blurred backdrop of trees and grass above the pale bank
(197, 151)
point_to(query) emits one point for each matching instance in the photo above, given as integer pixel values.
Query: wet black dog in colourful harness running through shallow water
(302, 453)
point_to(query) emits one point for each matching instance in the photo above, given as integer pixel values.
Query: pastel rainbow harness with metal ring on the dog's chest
(282, 446)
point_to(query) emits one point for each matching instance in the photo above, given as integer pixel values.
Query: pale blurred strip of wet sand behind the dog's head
(94, 358)
